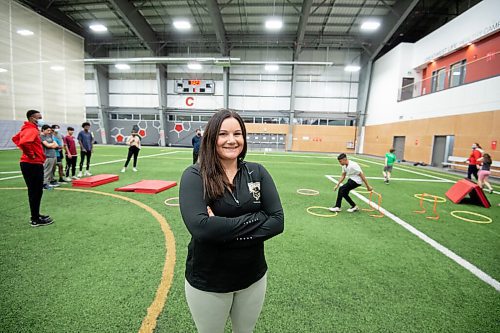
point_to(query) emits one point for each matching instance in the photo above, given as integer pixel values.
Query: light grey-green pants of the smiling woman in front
(210, 310)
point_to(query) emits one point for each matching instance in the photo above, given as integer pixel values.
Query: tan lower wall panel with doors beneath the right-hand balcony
(481, 127)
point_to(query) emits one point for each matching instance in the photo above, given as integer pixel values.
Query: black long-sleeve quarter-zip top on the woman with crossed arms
(226, 252)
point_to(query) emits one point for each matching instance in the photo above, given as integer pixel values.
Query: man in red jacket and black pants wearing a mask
(32, 159)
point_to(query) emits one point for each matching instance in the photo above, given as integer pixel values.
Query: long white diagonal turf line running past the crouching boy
(447, 252)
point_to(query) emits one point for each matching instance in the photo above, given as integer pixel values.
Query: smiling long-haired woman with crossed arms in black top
(230, 207)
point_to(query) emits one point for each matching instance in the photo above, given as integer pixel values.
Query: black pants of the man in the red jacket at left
(33, 177)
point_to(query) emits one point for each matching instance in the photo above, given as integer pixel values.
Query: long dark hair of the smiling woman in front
(213, 175)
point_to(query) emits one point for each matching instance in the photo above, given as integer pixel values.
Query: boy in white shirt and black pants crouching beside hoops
(353, 172)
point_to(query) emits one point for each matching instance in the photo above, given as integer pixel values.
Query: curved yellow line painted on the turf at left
(149, 322)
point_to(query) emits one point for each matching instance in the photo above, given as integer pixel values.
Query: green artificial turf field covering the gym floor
(108, 259)
